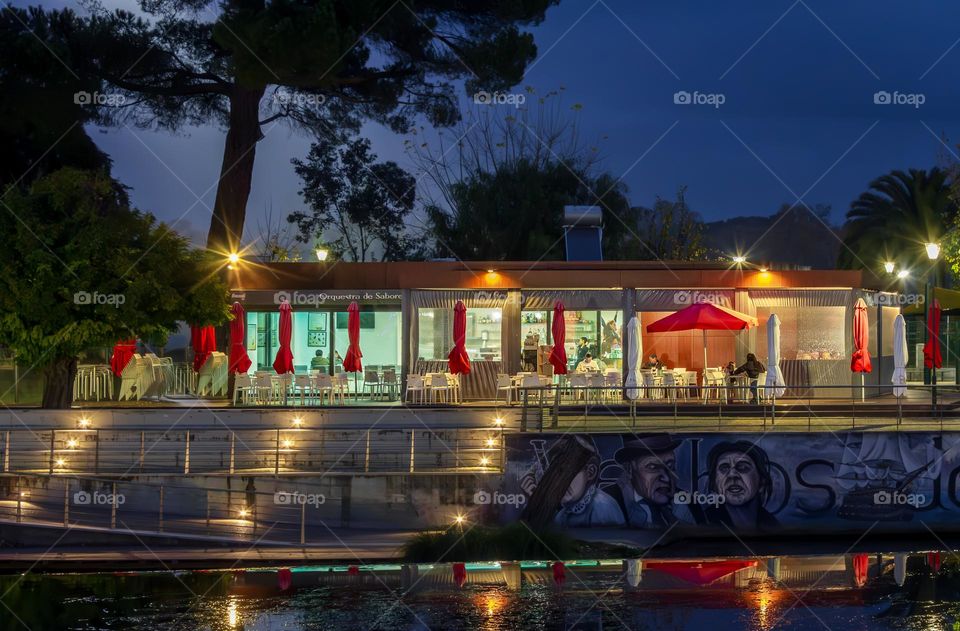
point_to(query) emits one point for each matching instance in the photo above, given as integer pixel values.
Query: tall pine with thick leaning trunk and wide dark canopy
(322, 63)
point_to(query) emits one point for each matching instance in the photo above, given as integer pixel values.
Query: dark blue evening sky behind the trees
(798, 79)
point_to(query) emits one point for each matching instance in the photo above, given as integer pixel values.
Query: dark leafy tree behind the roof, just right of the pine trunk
(361, 204)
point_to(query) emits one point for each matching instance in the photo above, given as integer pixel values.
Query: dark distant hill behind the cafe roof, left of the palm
(793, 235)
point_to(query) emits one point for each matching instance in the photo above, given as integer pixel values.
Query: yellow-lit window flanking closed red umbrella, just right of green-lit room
(482, 339)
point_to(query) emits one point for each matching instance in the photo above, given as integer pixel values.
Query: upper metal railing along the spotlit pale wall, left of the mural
(264, 451)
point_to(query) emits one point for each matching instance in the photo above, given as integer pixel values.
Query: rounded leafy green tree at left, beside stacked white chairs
(79, 268)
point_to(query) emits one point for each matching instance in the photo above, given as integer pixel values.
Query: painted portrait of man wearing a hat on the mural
(649, 483)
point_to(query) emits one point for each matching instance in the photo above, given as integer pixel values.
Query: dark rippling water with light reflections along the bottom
(221, 601)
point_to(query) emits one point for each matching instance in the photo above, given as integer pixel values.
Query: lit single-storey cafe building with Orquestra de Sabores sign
(407, 314)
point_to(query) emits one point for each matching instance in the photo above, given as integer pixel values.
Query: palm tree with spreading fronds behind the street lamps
(895, 217)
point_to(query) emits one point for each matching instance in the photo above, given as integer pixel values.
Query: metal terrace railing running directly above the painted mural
(542, 404)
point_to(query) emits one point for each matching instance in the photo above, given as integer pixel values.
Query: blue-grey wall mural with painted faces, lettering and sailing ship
(743, 483)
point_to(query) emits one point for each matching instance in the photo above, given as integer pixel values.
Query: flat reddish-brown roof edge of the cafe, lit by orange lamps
(251, 275)
